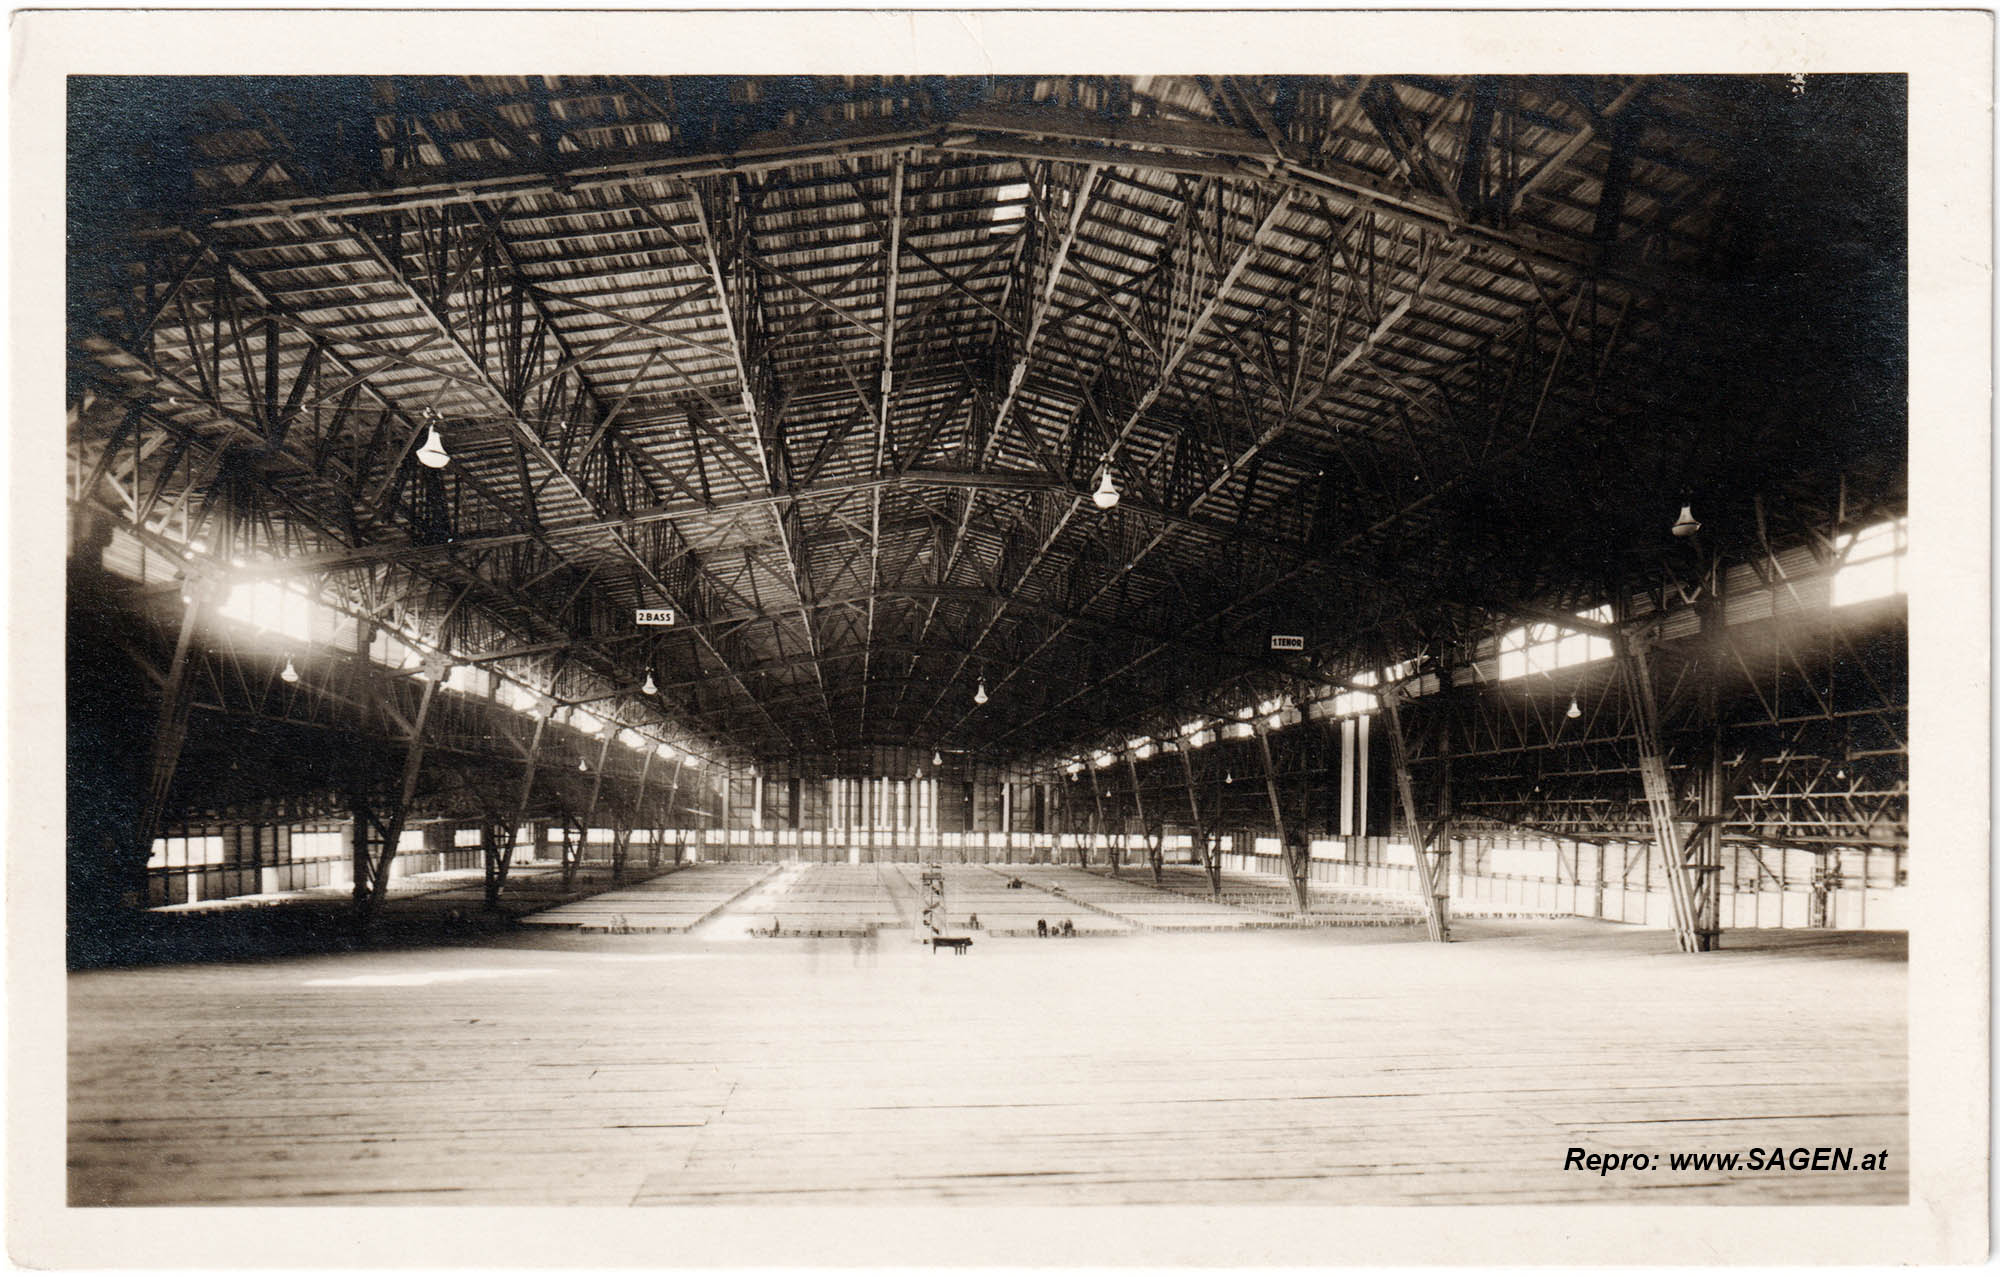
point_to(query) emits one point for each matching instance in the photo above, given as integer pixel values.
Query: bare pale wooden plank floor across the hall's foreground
(1341, 1068)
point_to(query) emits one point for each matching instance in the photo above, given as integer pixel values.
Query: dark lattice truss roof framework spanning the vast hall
(831, 367)
